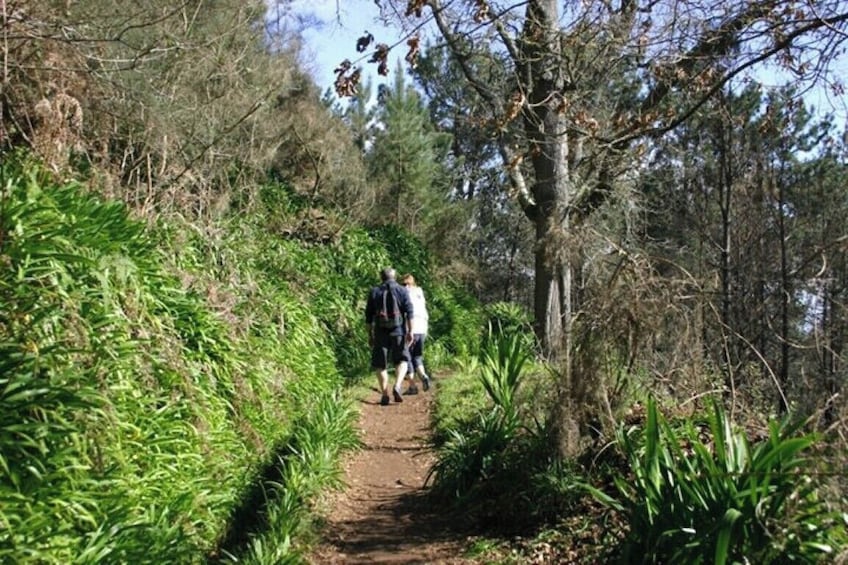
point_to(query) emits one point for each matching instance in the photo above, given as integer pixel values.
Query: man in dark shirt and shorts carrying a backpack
(388, 319)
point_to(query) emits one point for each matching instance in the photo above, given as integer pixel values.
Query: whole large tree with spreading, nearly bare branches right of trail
(589, 83)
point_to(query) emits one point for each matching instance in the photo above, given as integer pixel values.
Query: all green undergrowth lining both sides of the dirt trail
(175, 393)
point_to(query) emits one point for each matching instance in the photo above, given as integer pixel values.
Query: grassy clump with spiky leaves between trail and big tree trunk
(493, 453)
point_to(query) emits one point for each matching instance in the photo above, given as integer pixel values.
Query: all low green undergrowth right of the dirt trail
(683, 489)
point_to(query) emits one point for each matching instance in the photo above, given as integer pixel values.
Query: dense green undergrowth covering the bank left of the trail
(174, 393)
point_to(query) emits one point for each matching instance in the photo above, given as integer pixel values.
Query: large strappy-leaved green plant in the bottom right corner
(708, 495)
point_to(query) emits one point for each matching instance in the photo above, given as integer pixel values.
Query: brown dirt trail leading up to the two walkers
(382, 517)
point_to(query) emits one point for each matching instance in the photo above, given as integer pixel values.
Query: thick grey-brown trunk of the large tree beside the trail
(547, 131)
